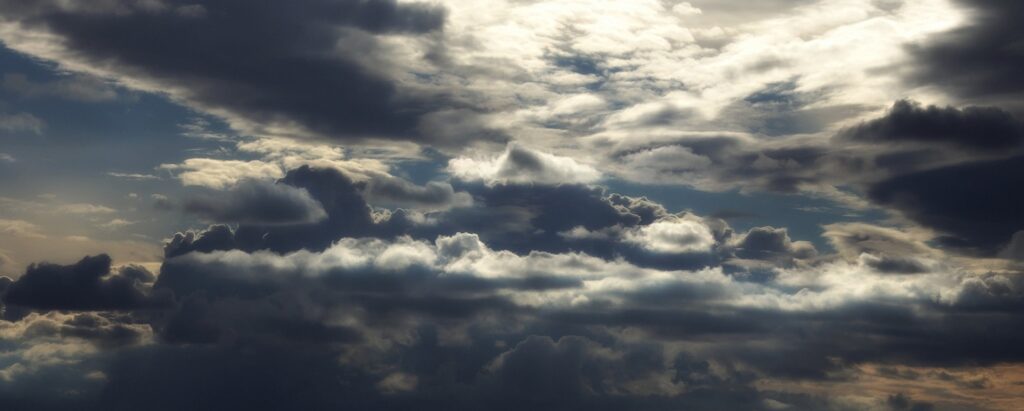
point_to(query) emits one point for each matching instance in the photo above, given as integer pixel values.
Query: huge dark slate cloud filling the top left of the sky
(262, 64)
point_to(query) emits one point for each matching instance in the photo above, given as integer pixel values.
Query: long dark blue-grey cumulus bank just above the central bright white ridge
(515, 217)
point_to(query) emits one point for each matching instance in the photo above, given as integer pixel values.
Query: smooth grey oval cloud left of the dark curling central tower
(258, 202)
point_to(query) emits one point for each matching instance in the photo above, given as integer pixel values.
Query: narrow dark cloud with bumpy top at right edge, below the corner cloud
(972, 128)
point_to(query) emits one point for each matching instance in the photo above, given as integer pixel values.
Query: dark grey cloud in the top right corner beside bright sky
(983, 59)
